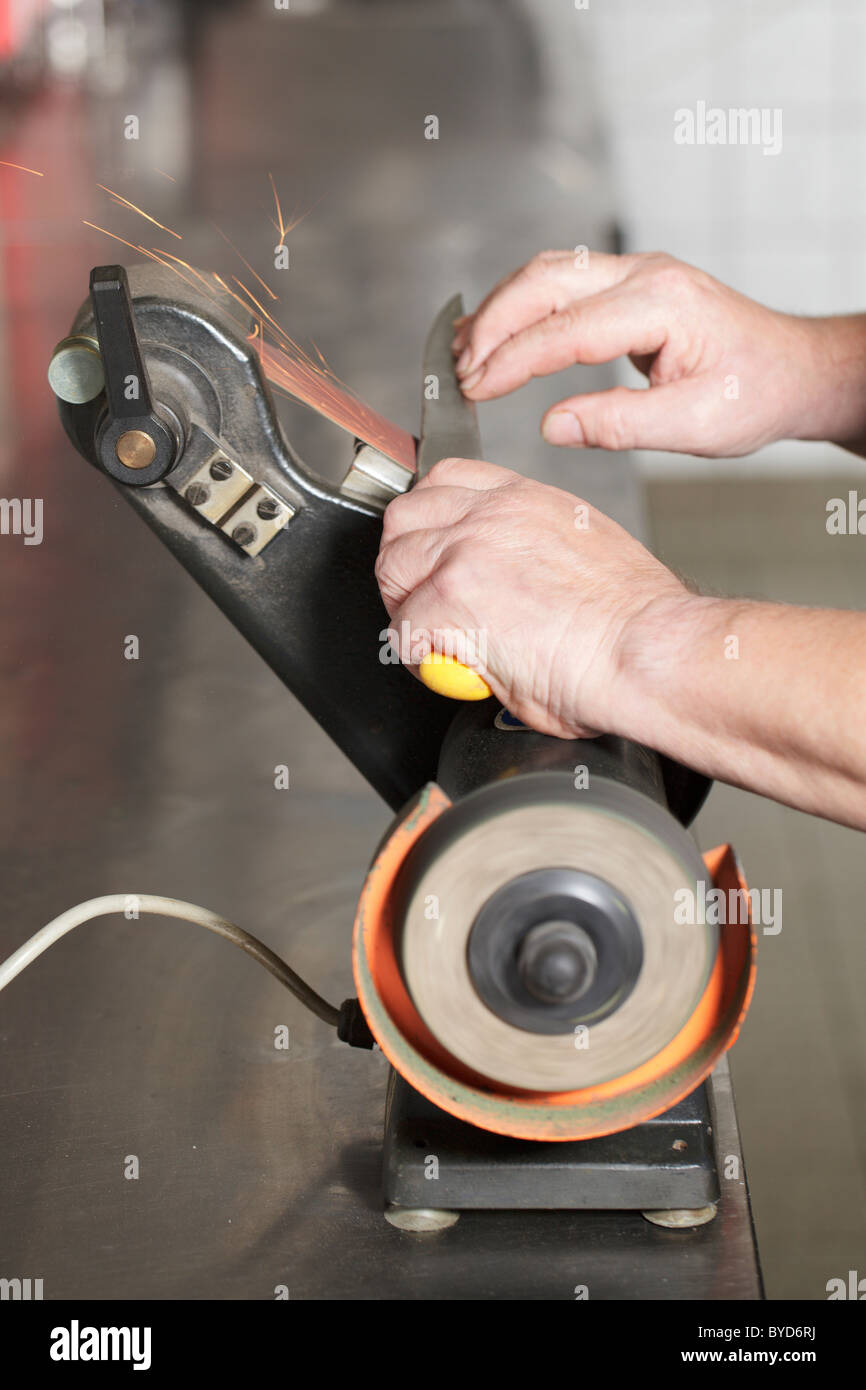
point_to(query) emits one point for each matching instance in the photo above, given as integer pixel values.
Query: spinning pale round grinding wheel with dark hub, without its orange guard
(597, 872)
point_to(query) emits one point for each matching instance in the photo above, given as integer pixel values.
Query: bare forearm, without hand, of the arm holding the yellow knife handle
(762, 696)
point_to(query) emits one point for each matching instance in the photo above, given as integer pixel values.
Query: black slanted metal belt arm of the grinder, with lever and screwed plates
(181, 419)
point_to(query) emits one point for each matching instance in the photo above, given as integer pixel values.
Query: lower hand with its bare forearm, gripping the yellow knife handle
(583, 632)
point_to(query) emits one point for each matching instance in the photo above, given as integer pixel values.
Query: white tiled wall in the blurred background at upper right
(789, 229)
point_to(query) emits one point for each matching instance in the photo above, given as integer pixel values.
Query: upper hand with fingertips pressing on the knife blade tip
(726, 375)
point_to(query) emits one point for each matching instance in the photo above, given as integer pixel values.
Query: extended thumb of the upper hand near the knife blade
(676, 416)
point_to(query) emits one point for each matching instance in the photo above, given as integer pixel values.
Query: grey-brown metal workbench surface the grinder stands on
(259, 1167)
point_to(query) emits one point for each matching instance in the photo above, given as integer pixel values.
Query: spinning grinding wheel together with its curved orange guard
(521, 961)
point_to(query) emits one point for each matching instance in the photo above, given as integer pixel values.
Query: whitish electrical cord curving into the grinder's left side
(148, 903)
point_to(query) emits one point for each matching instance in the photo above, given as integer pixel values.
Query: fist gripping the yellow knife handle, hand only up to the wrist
(544, 586)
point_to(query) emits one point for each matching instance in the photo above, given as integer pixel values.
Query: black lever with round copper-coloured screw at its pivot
(136, 443)
